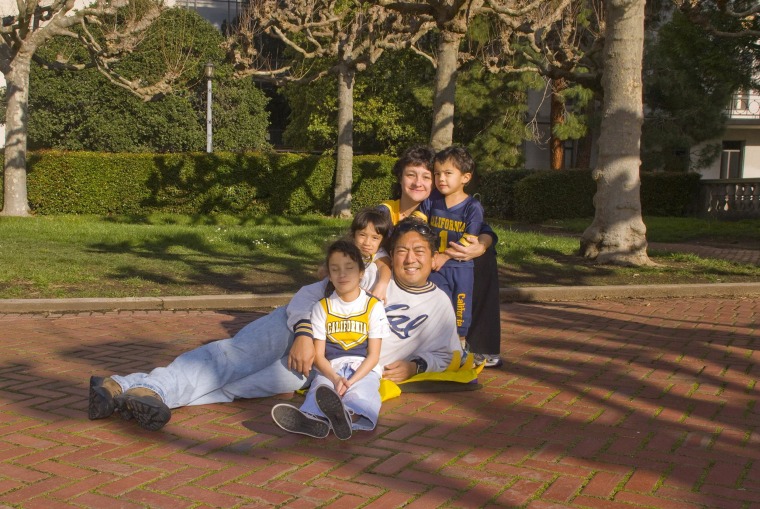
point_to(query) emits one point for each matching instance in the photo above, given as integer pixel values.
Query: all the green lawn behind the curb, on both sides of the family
(161, 255)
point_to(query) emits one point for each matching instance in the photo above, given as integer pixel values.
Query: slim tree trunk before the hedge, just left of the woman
(344, 168)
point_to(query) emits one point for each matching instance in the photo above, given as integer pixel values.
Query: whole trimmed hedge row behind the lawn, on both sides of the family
(286, 183)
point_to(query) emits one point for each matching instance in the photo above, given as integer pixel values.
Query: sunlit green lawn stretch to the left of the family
(85, 256)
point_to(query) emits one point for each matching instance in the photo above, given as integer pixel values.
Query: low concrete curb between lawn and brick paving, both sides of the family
(257, 301)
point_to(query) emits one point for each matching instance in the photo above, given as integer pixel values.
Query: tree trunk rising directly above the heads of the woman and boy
(442, 134)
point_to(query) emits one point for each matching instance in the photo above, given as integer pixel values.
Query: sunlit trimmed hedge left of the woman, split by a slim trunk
(255, 183)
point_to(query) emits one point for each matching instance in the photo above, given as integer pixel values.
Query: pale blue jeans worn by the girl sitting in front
(361, 399)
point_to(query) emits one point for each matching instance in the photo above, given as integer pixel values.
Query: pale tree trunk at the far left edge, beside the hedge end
(15, 200)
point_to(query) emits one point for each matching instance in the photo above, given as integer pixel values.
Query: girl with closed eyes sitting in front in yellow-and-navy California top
(347, 327)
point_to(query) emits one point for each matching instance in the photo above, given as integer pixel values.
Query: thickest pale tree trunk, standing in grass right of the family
(617, 234)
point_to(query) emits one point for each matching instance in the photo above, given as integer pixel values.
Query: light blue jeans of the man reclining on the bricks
(252, 364)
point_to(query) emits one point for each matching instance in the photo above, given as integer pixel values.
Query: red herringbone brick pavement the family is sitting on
(602, 404)
